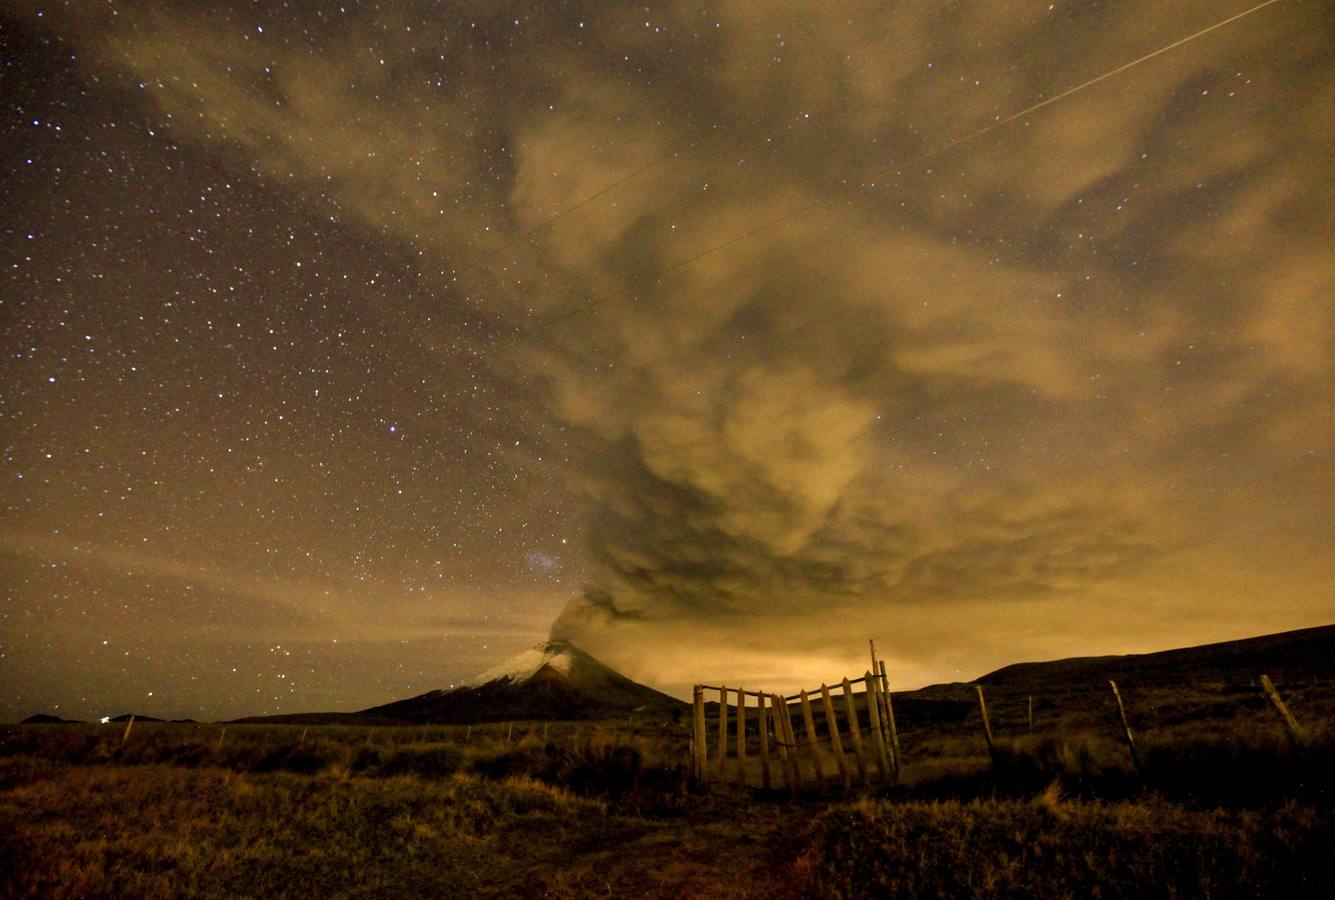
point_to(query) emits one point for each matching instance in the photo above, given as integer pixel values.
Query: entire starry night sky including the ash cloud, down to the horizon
(352, 349)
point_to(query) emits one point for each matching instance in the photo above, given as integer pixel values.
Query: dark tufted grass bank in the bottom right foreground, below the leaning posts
(1050, 847)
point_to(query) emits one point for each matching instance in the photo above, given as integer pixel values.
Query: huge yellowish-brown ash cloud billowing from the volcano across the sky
(1027, 396)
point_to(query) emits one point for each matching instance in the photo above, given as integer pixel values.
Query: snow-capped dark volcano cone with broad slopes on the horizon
(553, 682)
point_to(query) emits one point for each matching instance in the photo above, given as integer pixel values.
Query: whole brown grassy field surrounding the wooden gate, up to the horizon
(607, 810)
